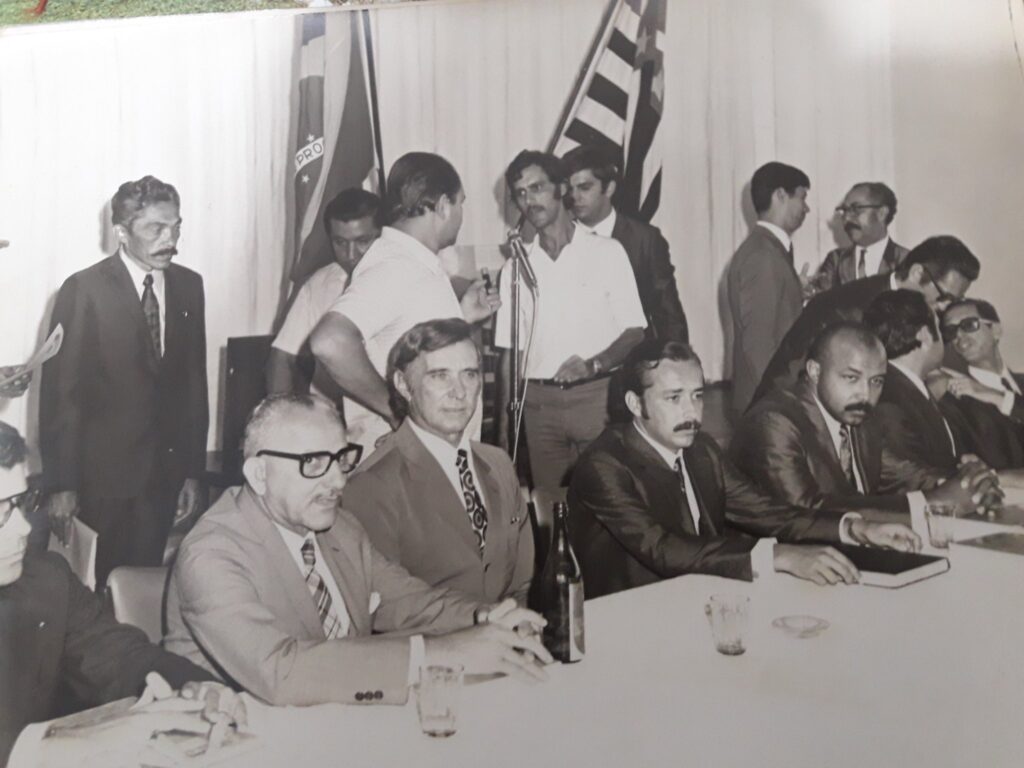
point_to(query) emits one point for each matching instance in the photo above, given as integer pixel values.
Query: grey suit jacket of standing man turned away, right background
(765, 298)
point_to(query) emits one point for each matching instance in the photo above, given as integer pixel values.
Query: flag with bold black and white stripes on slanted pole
(619, 101)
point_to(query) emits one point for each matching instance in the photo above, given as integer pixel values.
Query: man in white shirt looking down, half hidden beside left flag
(353, 224)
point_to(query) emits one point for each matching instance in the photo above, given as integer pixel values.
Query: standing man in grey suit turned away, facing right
(765, 293)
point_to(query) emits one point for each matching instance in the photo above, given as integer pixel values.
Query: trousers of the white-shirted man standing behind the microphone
(561, 423)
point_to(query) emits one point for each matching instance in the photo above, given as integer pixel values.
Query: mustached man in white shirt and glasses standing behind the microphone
(585, 319)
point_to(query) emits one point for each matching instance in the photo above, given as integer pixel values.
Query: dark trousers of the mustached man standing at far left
(132, 532)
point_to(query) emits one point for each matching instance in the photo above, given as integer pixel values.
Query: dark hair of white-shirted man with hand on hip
(416, 183)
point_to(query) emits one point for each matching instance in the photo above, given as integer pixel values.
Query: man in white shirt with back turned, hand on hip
(400, 283)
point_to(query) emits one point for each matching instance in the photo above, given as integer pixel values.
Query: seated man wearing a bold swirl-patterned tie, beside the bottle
(446, 508)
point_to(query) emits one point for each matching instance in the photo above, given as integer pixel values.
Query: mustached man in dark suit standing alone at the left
(123, 414)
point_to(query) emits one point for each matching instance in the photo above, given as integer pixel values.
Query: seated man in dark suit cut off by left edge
(57, 637)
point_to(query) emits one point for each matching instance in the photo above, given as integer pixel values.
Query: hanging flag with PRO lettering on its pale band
(337, 143)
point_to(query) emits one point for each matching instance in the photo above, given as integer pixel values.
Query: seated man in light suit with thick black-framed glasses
(279, 590)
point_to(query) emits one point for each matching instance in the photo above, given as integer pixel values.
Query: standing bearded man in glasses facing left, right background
(866, 212)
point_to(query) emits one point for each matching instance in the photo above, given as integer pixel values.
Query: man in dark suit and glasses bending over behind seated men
(941, 269)
